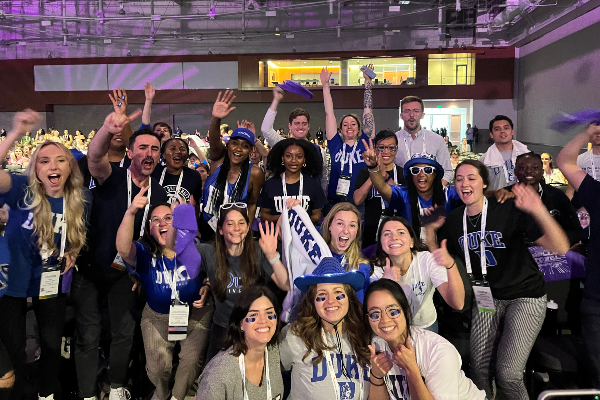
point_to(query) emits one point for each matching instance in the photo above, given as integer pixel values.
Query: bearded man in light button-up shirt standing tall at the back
(413, 139)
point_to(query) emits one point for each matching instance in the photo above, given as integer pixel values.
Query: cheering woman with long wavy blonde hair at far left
(45, 232)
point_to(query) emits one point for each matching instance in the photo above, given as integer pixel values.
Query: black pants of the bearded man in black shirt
(87, 296)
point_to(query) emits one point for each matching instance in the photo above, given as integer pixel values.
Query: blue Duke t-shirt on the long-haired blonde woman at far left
(25, 270)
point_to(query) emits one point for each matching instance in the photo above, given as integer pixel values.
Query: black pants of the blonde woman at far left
(50, 316)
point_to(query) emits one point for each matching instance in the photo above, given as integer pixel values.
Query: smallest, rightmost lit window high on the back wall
(451, 69)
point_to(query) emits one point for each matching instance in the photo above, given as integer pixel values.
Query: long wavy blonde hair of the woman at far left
(36, 201)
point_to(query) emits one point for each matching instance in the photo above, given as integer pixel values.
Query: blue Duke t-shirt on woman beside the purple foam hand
(156, 275)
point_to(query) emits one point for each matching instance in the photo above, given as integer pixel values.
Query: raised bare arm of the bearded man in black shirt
(98, 163)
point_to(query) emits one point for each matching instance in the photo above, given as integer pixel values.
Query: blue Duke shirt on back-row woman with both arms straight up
(336, 149)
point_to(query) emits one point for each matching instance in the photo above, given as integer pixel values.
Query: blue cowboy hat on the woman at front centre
(330, 270)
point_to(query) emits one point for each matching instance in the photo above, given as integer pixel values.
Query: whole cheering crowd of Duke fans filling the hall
(358, 230)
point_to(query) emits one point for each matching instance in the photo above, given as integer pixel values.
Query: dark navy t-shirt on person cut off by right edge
(589, 198)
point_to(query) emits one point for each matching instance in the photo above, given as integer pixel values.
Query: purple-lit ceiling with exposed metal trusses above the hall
(151, 28)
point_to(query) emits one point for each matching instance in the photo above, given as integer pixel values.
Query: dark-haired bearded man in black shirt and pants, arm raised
(101, 274)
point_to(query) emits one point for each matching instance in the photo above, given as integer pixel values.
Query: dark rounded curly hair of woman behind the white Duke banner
(313, 165)
